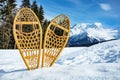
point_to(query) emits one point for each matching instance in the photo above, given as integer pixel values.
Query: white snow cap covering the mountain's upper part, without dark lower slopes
(95, 31)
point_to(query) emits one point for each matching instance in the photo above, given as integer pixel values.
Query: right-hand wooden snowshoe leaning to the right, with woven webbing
(56, 38)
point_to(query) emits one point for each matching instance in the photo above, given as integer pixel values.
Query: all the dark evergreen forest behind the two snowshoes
(8, 10)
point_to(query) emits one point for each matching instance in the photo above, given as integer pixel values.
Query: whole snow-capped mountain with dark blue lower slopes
(86, 34)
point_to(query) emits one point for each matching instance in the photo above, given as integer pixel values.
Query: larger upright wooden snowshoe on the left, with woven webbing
(27, 33)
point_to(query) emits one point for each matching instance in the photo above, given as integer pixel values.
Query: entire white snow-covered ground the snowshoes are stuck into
(98, 62)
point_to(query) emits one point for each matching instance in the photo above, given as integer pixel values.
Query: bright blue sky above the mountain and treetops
(106, 12)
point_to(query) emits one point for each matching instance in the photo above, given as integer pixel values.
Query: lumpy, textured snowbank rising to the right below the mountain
(107, 52)
